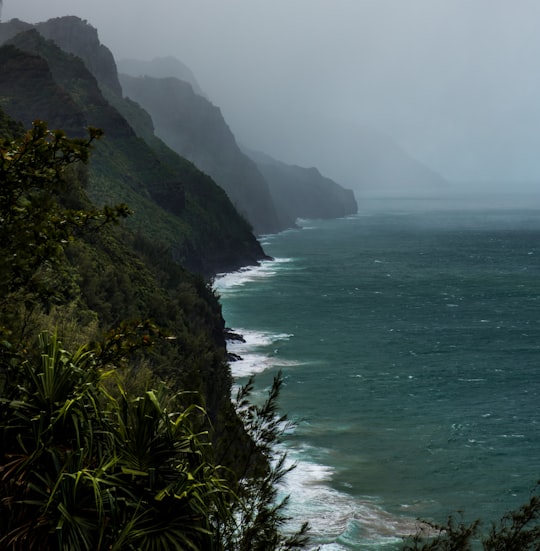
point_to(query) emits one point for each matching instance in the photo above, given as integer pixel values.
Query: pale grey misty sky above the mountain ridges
(455, 82)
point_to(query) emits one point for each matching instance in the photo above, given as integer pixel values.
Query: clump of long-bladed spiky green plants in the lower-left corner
(84, 470)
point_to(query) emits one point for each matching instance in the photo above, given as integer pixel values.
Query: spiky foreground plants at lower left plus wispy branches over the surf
(85, 465)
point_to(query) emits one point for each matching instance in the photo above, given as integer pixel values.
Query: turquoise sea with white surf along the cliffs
(410, 345)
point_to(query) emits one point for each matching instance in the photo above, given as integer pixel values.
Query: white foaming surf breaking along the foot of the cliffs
(339, 521)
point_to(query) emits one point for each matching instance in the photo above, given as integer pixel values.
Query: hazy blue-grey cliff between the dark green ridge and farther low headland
(195, 128)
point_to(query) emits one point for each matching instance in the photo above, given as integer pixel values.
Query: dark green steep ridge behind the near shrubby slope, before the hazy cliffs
(174, 203)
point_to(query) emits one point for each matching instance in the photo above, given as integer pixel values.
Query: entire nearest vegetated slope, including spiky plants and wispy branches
(117, 430)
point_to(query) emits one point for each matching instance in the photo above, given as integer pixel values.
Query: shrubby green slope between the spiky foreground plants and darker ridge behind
(90, 282)
